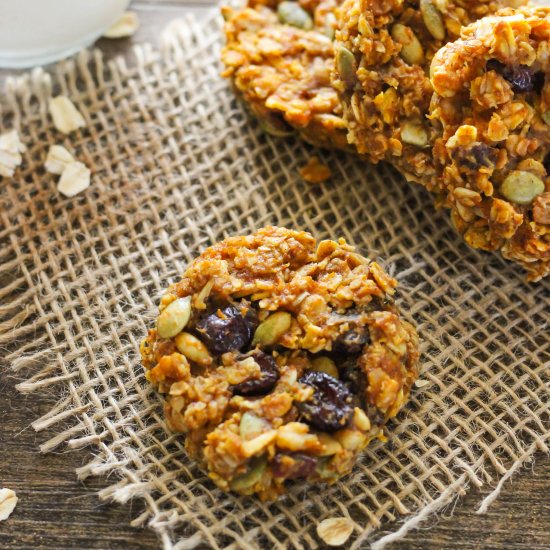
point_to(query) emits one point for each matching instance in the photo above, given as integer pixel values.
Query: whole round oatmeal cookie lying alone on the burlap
(280, 359)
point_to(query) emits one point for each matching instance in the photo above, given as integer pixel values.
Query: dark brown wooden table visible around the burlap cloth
(55, 511)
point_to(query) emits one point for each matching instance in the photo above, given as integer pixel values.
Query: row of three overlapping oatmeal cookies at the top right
(454, 94)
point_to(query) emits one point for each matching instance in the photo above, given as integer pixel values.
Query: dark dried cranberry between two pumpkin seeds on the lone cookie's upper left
(229, 332)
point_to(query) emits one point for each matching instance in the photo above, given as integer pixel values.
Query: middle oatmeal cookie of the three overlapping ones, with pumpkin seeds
(383, 50)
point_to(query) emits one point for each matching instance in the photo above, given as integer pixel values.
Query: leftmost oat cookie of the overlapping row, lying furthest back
(279, 55)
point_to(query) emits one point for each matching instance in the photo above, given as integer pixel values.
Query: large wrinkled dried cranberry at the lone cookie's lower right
(330, 407)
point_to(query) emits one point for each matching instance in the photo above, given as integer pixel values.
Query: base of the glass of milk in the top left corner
(35, 32)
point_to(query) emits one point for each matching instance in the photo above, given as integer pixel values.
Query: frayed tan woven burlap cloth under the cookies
(177, 165)
